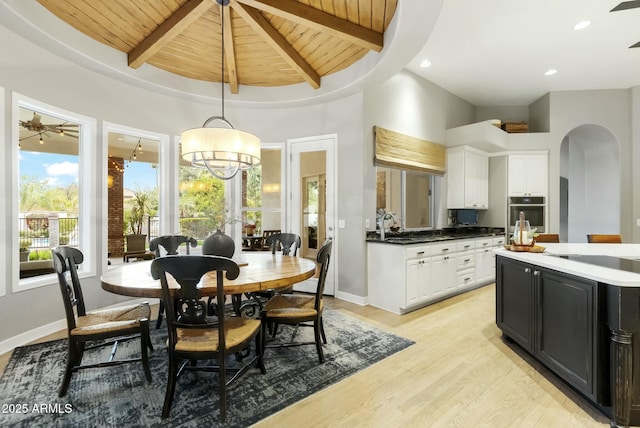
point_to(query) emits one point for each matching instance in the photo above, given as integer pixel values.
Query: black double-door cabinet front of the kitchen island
(554, 316)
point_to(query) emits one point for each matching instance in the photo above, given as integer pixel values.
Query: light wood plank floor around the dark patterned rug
(458, 374)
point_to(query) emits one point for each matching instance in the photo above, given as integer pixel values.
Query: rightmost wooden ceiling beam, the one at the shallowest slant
(319, 20)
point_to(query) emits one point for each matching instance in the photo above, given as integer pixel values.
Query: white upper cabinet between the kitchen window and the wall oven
(467, 179)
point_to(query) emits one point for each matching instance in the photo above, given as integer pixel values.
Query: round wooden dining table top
(259, 271)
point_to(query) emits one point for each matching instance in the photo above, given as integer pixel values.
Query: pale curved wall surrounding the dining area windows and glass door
(33, 72)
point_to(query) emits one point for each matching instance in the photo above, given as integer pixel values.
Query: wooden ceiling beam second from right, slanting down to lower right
(263, 27)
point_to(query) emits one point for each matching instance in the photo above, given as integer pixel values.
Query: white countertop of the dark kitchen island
(585, 270)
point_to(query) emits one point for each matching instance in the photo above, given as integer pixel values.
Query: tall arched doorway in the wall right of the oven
(589, 183)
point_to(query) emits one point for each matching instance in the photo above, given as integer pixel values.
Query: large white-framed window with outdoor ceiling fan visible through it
(54, 184)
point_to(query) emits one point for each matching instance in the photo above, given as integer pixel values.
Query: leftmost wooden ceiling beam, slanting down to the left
(170, 28)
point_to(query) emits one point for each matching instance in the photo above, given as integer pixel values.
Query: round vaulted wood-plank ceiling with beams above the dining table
(266, 42)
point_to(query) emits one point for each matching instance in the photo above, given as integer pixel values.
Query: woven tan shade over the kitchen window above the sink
(396, 150)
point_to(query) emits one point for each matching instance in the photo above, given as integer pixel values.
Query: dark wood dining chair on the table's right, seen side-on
(300, 310)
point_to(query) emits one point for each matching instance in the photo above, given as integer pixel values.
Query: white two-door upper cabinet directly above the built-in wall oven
(528, 175)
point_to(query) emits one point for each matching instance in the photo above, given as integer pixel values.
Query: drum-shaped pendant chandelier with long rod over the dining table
(223, 151)
